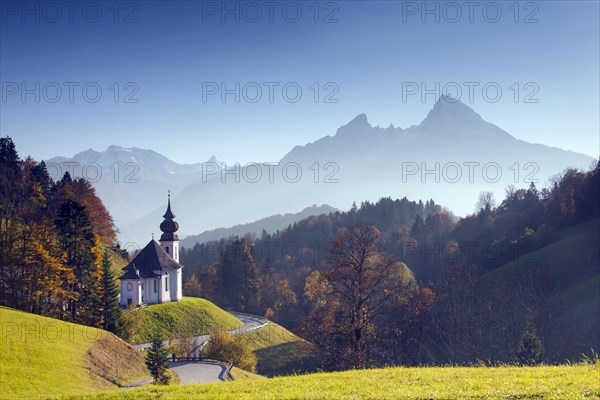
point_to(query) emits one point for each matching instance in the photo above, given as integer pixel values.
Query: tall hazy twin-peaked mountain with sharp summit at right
(451, 156)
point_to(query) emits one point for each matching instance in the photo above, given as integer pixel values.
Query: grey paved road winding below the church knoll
(202, 371)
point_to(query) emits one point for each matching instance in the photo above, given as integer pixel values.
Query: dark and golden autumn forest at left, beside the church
(52, 236)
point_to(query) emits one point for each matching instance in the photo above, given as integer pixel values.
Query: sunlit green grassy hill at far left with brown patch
(42, 356)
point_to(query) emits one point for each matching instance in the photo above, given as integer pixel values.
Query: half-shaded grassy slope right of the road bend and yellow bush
(280, 352)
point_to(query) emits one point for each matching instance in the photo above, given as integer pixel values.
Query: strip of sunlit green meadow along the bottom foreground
(549, 382)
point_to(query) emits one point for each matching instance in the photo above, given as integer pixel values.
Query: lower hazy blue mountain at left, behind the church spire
(132, 182)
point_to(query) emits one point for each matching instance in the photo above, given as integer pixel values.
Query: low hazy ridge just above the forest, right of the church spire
(270, 224)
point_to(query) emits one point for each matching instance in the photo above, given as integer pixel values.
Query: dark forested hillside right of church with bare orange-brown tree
(438, 293)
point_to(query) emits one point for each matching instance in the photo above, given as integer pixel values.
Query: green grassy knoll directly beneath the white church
(195, 315)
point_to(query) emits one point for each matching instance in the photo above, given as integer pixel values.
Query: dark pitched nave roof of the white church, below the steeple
(151, 258)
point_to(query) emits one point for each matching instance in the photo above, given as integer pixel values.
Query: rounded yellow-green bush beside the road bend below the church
(228, 348)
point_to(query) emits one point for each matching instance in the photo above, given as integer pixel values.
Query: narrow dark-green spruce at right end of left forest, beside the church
(112, 315)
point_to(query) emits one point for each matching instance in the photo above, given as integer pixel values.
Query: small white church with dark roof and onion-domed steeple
(154, 275)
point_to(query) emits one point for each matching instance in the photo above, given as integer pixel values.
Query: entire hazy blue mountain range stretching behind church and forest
(451, 156)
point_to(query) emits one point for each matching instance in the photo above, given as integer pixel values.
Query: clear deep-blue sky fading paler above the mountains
(175, 58)
